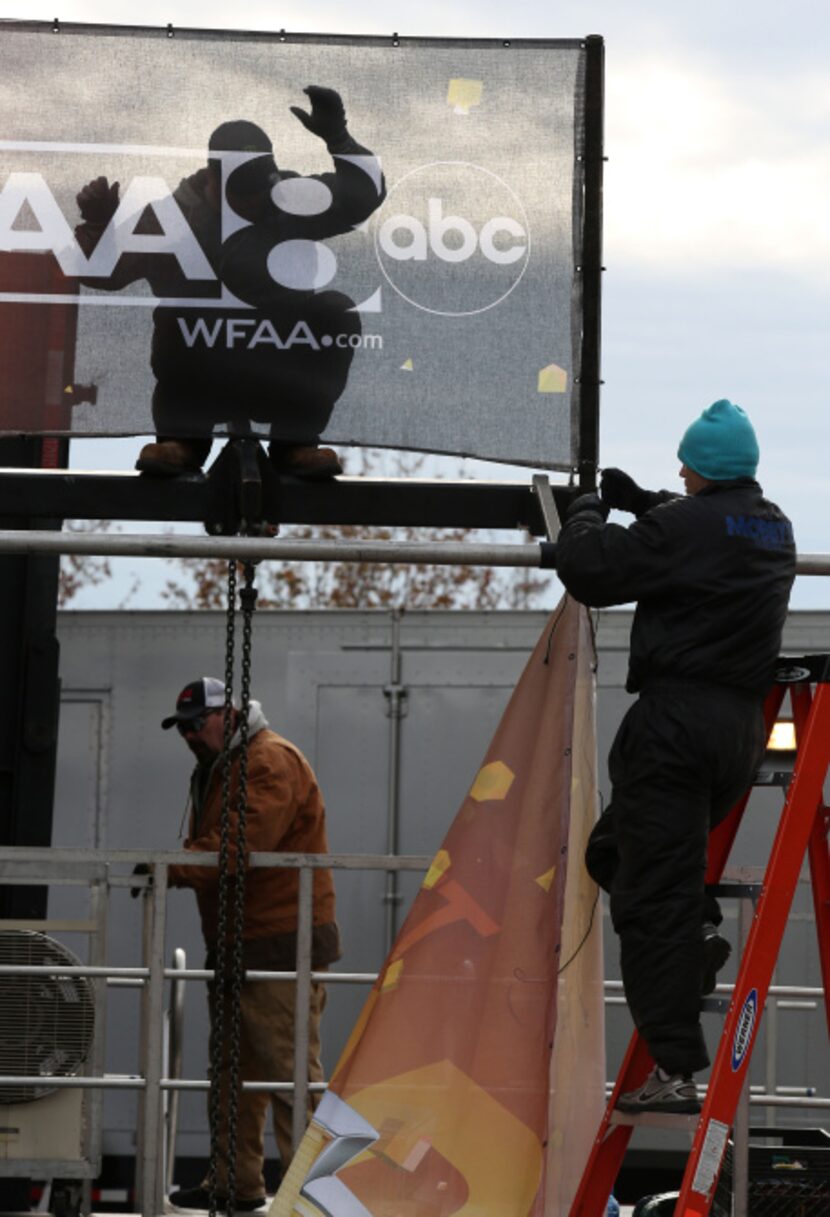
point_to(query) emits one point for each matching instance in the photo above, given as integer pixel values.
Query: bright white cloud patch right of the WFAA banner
(708, 172)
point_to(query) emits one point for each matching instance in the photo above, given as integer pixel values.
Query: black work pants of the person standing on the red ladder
(682, 758)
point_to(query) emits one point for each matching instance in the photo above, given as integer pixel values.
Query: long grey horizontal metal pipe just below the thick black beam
(256, 549)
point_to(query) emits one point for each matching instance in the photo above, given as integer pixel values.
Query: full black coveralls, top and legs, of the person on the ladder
(711, 576)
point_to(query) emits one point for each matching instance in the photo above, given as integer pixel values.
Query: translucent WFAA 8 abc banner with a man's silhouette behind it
(372, 242)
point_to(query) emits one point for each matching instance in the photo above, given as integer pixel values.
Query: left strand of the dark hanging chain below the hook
(218, 999)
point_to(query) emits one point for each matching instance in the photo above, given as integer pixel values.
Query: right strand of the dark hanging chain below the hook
(249, 601)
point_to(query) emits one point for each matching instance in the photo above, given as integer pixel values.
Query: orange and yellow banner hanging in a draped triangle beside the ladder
(441, 1102)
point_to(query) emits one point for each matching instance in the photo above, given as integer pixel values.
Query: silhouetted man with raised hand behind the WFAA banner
(276, 349)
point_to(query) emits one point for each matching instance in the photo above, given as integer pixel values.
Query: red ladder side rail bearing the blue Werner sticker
(801, 807)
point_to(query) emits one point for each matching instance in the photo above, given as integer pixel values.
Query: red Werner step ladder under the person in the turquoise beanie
(803, 829)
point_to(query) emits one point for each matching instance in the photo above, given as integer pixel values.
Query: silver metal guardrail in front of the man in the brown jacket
(155, 1163)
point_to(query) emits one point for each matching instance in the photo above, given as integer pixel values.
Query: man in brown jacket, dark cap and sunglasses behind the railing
(285, 814)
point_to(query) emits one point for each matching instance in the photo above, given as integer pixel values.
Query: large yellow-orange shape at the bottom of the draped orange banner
(498, 1156)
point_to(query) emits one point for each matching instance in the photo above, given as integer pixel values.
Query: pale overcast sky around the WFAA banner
(717, 228)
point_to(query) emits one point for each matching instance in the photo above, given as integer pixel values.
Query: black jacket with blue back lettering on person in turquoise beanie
(711, 576)
